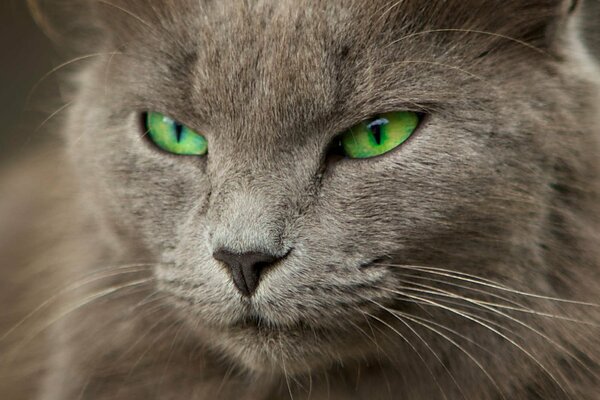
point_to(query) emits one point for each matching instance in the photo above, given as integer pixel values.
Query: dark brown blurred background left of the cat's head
(26, 55)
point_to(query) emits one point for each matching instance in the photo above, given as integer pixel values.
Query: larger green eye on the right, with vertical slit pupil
(379, 135)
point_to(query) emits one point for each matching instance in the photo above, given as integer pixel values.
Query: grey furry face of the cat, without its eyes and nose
(270, 86)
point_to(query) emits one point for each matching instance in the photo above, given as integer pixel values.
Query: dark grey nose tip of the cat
(245, 268)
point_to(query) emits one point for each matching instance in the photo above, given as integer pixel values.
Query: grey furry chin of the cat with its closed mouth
(256, 342)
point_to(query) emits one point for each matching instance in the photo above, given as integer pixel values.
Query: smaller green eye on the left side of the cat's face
(171, 136)
